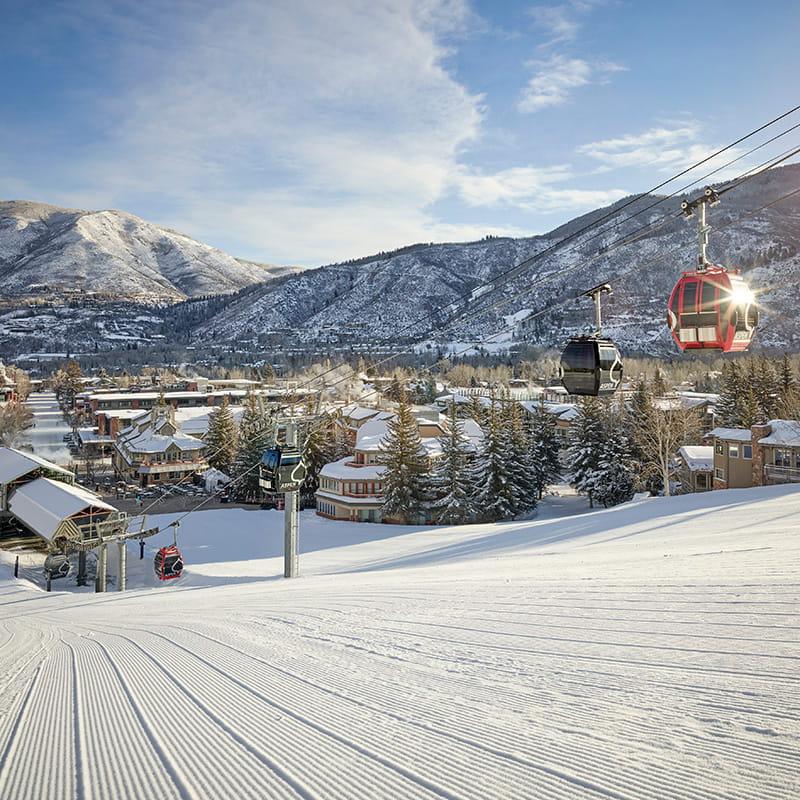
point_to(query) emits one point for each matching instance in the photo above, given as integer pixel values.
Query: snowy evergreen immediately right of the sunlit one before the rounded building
(453, 479)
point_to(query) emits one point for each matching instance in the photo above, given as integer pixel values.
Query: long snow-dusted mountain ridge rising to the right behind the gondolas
(466, 293)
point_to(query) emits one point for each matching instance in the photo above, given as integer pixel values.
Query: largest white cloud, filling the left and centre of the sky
(333, 108)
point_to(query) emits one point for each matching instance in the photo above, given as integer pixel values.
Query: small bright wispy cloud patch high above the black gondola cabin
(555, 79)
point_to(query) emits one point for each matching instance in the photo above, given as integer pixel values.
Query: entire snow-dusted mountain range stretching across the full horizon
(528, 290)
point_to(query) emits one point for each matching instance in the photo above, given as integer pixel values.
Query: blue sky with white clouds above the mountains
(308, 132)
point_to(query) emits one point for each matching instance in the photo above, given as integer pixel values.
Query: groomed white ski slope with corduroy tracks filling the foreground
(646, 652)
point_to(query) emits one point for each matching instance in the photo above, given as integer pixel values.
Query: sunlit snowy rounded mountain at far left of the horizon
(44, 248)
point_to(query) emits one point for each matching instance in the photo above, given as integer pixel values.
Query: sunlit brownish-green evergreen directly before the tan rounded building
(404, 477)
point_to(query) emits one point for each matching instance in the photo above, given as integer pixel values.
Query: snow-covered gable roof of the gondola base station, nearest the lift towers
(43, 504)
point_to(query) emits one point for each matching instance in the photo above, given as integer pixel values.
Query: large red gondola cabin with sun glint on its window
(712, 310)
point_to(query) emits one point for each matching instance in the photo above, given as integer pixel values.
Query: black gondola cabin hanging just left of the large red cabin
(591, 366)
